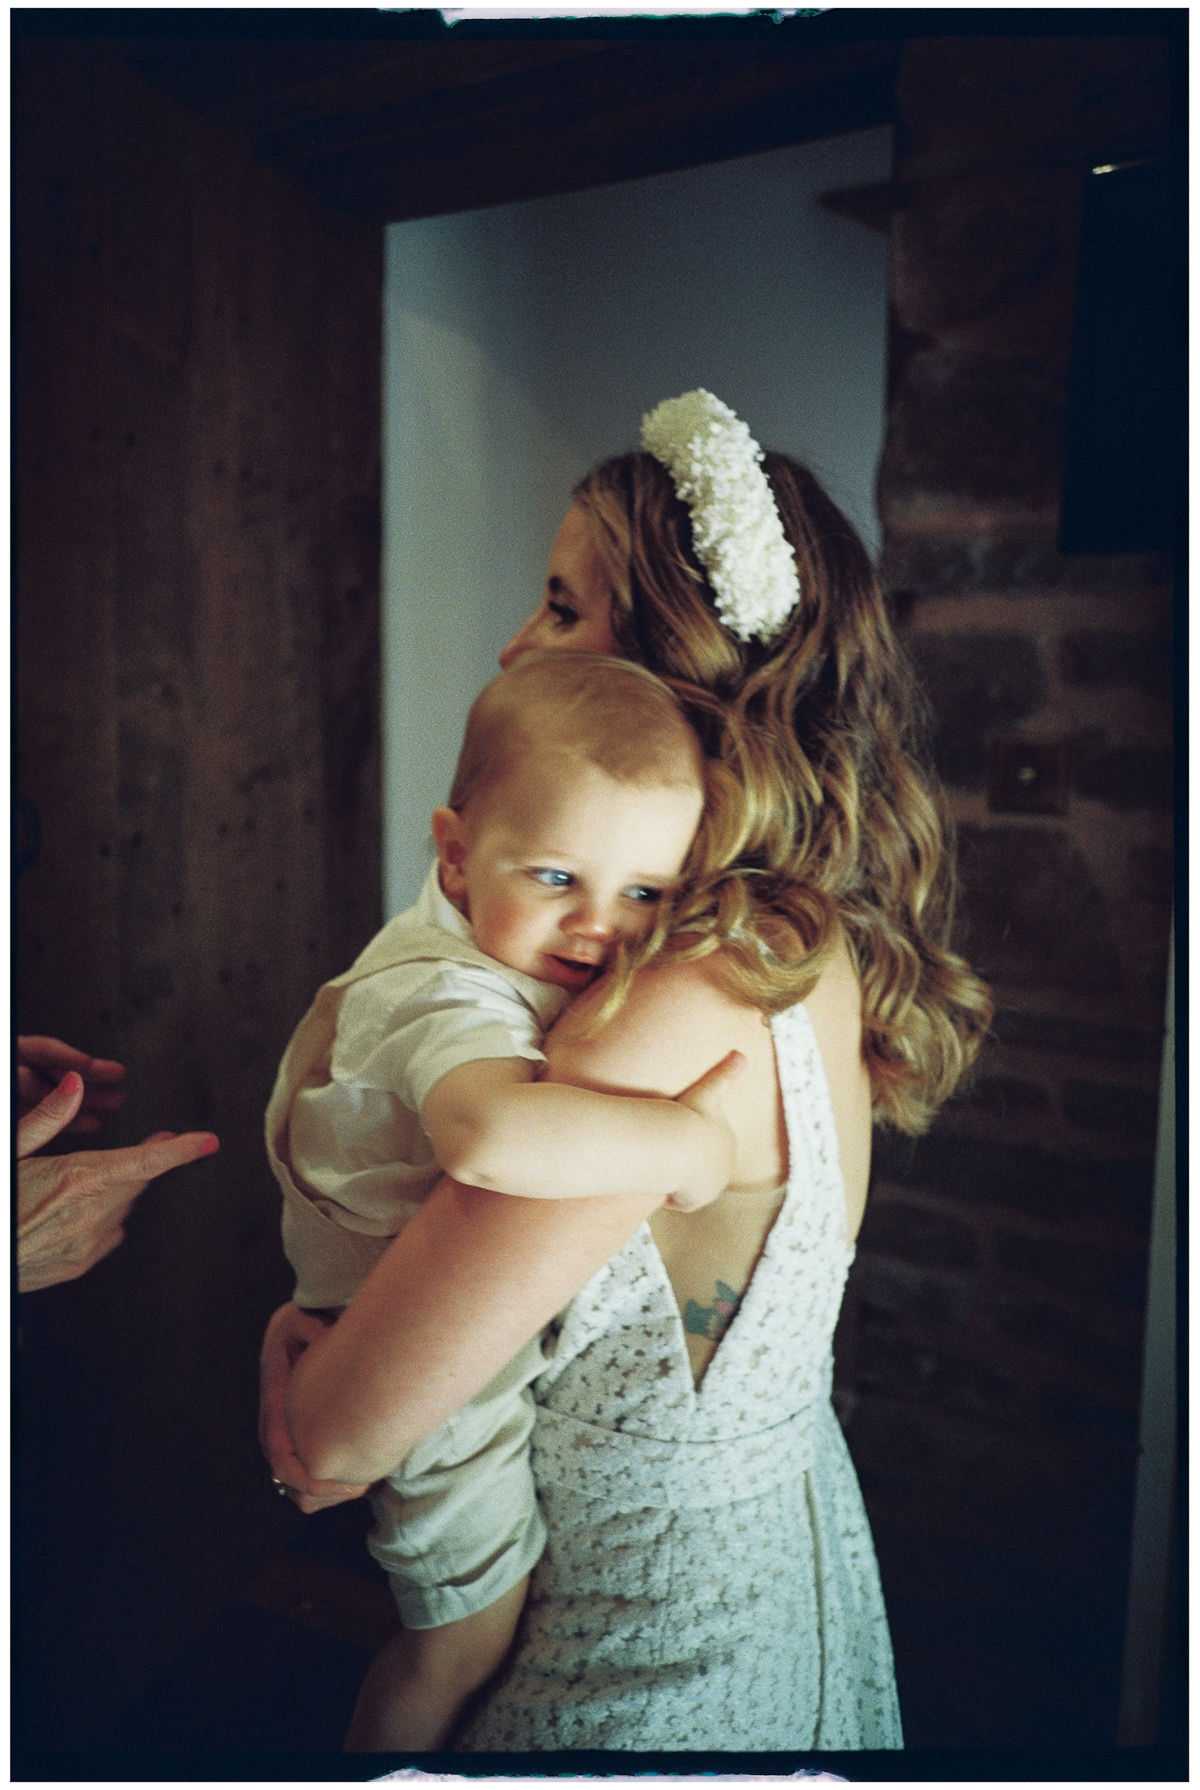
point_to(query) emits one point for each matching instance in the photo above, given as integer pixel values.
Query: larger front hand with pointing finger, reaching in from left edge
(71, 1209)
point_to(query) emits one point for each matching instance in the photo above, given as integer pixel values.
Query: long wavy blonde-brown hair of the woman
(823, 819)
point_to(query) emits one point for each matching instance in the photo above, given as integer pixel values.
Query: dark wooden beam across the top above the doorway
(402, 130)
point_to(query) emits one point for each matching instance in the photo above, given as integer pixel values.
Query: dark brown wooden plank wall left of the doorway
(198, 769)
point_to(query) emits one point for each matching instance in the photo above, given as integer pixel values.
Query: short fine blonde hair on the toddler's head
(604, 712)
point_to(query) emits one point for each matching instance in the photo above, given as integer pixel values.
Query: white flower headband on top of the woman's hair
(717, 470)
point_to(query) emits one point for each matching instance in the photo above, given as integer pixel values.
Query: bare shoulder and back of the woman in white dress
(676, 1025)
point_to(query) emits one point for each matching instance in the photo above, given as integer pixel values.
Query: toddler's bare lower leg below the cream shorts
(422, 1680)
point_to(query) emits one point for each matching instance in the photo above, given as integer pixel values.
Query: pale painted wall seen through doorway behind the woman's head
(526, 343)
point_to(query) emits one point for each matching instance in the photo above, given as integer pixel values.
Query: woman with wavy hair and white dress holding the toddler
(710, 1580)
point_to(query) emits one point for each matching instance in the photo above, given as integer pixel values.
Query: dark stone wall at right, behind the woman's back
(991, 1349)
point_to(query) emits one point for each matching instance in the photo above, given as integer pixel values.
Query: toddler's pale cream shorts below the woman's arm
(459, 1524)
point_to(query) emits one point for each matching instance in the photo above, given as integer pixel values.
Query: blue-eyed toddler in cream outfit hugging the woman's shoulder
(569, 828)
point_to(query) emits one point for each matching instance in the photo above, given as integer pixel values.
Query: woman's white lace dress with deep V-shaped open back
(710, 1581)
